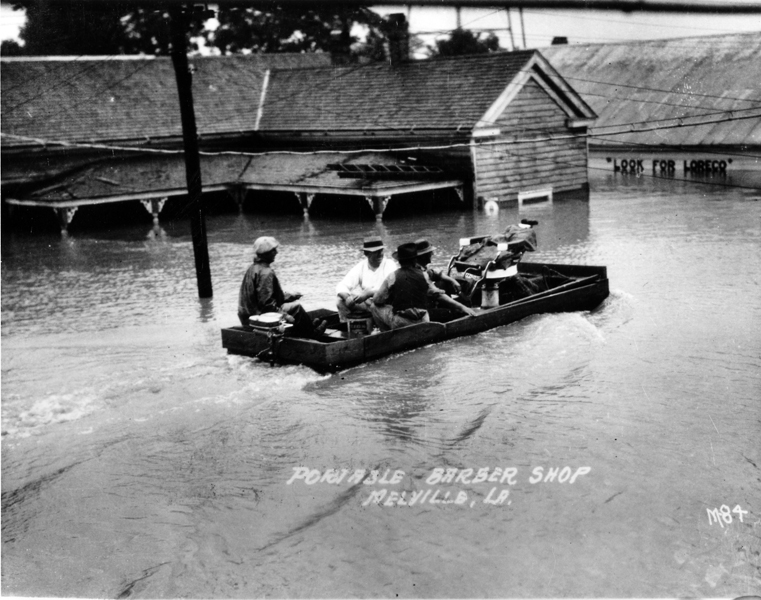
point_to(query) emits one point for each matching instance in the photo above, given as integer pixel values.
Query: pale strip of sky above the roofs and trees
(540, 25)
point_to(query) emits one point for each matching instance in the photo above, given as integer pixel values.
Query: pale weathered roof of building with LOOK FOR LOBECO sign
(662, 83)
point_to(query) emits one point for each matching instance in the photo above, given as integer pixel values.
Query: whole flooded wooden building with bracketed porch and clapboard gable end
(97, 131)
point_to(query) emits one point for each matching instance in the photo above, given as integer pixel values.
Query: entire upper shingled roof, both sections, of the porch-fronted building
(129, 100)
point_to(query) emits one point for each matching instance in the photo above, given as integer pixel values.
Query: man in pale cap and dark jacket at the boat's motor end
(260, 293)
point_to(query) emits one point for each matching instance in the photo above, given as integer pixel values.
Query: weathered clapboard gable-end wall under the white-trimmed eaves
(508, 164)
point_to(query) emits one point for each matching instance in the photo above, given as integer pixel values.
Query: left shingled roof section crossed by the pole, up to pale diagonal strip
(132, 98)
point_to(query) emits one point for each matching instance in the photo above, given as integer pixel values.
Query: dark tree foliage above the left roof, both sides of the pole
(109, 28)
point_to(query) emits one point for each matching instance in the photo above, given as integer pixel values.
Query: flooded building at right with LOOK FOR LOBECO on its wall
(683, 107)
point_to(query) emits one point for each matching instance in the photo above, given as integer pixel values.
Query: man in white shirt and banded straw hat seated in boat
(356, 290)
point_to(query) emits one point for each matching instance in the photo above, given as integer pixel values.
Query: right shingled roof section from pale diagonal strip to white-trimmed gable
(445, 93)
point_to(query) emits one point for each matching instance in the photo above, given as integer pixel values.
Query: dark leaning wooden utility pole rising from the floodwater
(179, 26)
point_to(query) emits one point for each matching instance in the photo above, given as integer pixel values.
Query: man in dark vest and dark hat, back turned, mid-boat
(404, 295)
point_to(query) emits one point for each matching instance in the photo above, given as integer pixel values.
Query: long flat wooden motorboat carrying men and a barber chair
(584, 288)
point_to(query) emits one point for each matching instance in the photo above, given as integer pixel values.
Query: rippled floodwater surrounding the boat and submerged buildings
(612, 453)
